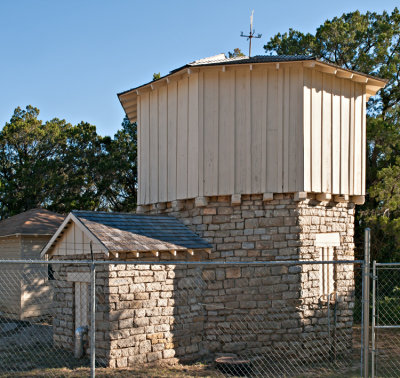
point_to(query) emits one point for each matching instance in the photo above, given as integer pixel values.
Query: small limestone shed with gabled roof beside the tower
(144, 313)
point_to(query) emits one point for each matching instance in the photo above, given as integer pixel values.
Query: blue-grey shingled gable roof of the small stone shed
(127, 232)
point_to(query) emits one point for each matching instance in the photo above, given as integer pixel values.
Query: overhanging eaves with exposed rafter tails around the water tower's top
(128, 99)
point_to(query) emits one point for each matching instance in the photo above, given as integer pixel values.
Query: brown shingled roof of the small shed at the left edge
(31, 222)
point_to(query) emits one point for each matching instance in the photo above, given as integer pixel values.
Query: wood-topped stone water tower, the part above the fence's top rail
(257, 155)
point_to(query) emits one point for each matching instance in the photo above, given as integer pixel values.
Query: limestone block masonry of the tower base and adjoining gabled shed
(149, 313)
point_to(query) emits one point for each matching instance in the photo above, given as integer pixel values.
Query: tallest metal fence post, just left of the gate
(366, 290)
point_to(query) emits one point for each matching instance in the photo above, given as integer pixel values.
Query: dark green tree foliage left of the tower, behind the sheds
(62, 167)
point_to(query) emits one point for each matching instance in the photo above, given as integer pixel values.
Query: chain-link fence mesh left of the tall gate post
(247, 319)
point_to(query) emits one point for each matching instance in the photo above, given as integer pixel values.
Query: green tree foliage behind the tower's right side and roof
(369, 43)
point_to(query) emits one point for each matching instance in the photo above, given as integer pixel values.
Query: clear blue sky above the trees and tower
(70, 58)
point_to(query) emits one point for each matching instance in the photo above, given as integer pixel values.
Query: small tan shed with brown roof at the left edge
(24, 290)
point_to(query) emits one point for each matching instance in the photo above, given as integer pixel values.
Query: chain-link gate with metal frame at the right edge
(385, 355)
